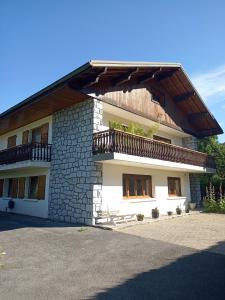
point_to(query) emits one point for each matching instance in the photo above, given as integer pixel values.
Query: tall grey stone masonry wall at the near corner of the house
(75, 180)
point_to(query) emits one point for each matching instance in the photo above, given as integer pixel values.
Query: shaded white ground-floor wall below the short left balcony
(38, 208)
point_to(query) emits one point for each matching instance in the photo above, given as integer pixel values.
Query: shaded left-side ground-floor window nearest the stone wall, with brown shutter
(37, 187)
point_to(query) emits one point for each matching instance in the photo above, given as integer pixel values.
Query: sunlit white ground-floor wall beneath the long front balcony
(112, 191)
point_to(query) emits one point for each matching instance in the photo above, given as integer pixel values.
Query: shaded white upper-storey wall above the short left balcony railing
(19, 132)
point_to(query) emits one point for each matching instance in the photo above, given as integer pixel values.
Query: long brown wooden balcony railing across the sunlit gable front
(112, 140)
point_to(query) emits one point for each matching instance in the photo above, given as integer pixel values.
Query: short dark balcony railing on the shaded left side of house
(33, 151)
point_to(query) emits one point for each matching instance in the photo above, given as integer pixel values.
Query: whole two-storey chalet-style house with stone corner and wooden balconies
(60, 160)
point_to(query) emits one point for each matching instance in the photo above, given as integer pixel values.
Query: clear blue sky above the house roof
(44, 40)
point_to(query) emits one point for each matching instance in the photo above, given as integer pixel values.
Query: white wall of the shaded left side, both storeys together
(27, 169)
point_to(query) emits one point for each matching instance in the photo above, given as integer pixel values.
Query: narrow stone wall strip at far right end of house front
(194, 178)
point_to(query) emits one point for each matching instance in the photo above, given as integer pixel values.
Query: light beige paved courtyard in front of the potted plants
(198, 231)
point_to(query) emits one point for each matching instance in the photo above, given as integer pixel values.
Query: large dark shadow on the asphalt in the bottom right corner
(199, 276)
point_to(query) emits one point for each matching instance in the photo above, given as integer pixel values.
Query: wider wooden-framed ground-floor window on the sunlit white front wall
(137, 186)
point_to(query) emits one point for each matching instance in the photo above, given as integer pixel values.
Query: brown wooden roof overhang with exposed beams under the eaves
(97, 75)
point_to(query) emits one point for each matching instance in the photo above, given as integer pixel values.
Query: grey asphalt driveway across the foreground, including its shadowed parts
(47, 260)
